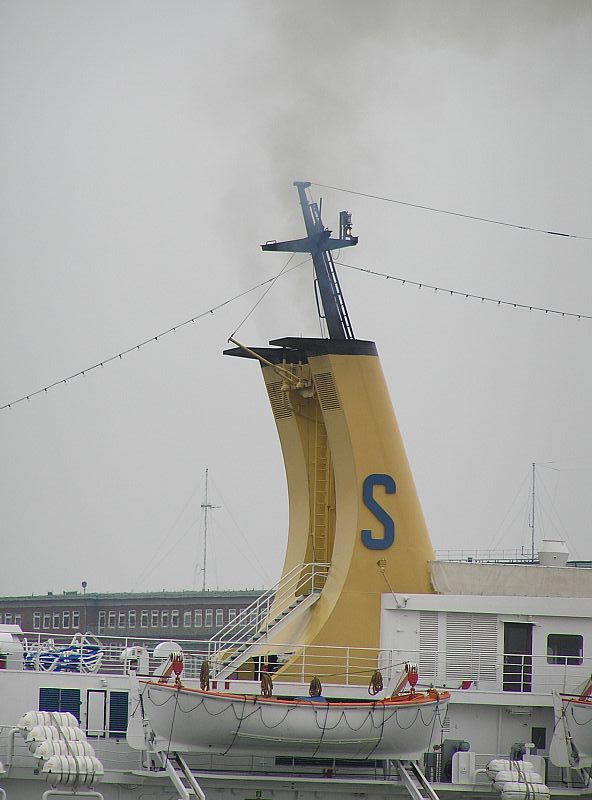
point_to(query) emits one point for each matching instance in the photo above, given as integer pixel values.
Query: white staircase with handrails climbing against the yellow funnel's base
(242, 638)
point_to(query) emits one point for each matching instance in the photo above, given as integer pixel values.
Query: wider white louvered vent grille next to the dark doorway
(471, 647)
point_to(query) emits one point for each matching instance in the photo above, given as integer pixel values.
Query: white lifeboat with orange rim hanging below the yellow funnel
(194, 721)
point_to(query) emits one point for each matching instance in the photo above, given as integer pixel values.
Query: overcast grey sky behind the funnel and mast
(148, 148)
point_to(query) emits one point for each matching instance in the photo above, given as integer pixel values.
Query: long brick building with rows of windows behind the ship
(166, 615)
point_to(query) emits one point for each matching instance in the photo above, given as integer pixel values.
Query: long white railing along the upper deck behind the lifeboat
(537, 673)
